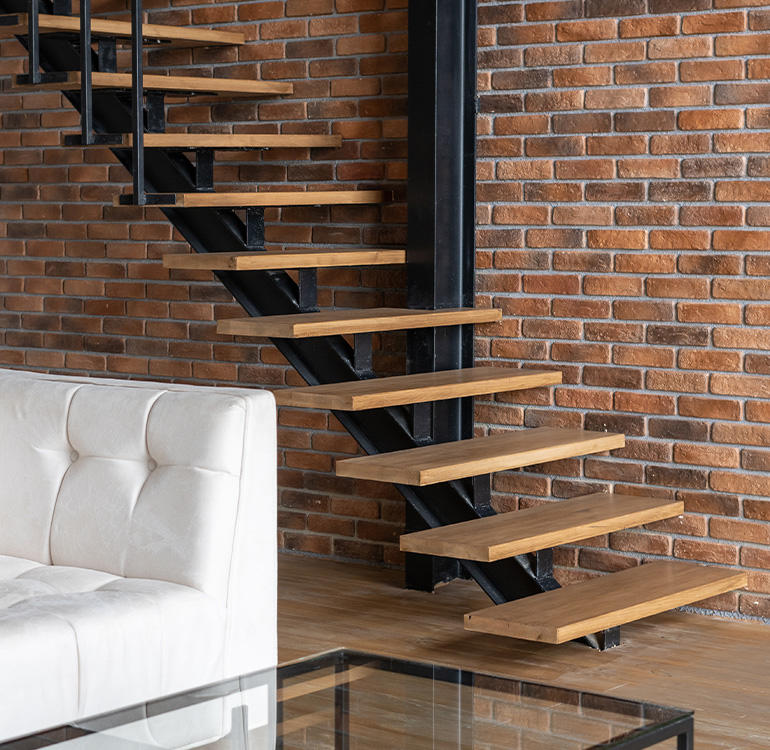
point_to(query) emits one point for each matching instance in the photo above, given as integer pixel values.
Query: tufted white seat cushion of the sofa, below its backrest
(99, 642)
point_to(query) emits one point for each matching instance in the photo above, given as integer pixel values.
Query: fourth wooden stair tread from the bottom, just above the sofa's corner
(412, 389)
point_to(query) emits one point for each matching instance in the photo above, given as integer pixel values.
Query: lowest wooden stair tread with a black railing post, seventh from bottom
(274, 198)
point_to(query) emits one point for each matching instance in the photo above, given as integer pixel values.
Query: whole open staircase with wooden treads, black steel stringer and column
(417, 428)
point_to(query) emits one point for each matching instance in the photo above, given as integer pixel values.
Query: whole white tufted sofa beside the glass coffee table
(137, 542)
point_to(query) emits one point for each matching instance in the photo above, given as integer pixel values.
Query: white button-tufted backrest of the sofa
(142, 480)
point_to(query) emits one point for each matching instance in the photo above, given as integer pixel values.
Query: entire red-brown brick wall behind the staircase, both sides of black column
(623, 193)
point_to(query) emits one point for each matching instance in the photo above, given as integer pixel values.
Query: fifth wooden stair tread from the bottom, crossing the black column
(341, 322)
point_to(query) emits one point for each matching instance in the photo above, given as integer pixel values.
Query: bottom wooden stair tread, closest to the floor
(605, 602)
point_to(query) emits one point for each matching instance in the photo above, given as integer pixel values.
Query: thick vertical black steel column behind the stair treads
(442, 203)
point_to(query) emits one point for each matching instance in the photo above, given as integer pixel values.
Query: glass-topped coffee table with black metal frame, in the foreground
(346, 700)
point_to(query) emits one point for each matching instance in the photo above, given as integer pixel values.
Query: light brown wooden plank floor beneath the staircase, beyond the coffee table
(720, 668)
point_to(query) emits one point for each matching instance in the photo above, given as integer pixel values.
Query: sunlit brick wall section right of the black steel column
(623, 214)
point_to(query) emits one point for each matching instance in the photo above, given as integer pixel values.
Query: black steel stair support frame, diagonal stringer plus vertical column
(440, 257)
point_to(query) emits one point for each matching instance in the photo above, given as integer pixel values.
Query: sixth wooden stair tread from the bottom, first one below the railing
(267, 261)
